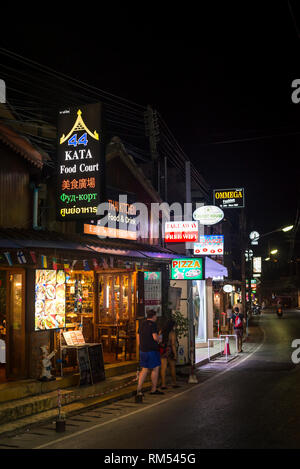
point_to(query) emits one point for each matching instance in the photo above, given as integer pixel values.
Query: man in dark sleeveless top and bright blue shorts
(149, 352)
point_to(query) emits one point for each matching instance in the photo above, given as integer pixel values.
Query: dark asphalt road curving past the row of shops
(242, 406)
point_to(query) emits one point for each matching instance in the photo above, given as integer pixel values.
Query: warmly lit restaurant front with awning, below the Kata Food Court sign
(65, 287)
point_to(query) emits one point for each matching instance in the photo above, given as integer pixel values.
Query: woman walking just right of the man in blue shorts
(168, 353)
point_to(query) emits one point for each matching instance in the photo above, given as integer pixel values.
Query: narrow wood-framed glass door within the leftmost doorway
(15, 337)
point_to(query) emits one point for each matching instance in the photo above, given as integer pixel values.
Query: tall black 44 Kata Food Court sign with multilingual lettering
(80, 163)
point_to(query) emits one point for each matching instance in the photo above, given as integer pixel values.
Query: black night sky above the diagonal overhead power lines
(216, 73)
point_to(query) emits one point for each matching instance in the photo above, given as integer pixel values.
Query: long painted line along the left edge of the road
(94, 427)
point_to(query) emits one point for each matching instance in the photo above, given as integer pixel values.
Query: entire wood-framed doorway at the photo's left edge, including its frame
(12, 324)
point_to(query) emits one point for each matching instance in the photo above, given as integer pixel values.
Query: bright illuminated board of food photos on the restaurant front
(50, 300)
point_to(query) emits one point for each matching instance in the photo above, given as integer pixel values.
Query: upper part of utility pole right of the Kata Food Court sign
(152, 131)
